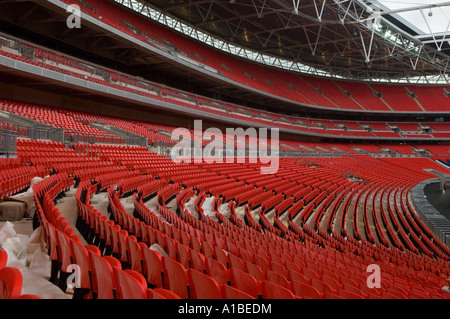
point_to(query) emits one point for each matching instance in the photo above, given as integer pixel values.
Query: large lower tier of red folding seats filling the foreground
(197, 241)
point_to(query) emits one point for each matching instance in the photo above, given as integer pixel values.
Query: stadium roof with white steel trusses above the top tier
(396, 41)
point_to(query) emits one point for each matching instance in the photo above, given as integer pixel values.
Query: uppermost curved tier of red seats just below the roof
(304, 89)
